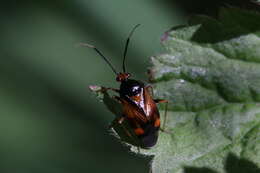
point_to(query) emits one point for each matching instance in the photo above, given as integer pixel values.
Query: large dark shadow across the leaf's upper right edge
(231, 23)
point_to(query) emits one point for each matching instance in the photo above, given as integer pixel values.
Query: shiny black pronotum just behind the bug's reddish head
(131, 87)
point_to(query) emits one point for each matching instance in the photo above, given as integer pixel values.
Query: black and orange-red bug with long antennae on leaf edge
(139, 108)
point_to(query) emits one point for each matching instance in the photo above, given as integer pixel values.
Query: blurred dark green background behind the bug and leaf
(49, 120)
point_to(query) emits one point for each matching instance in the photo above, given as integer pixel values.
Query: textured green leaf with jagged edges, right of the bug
(211, 77)
